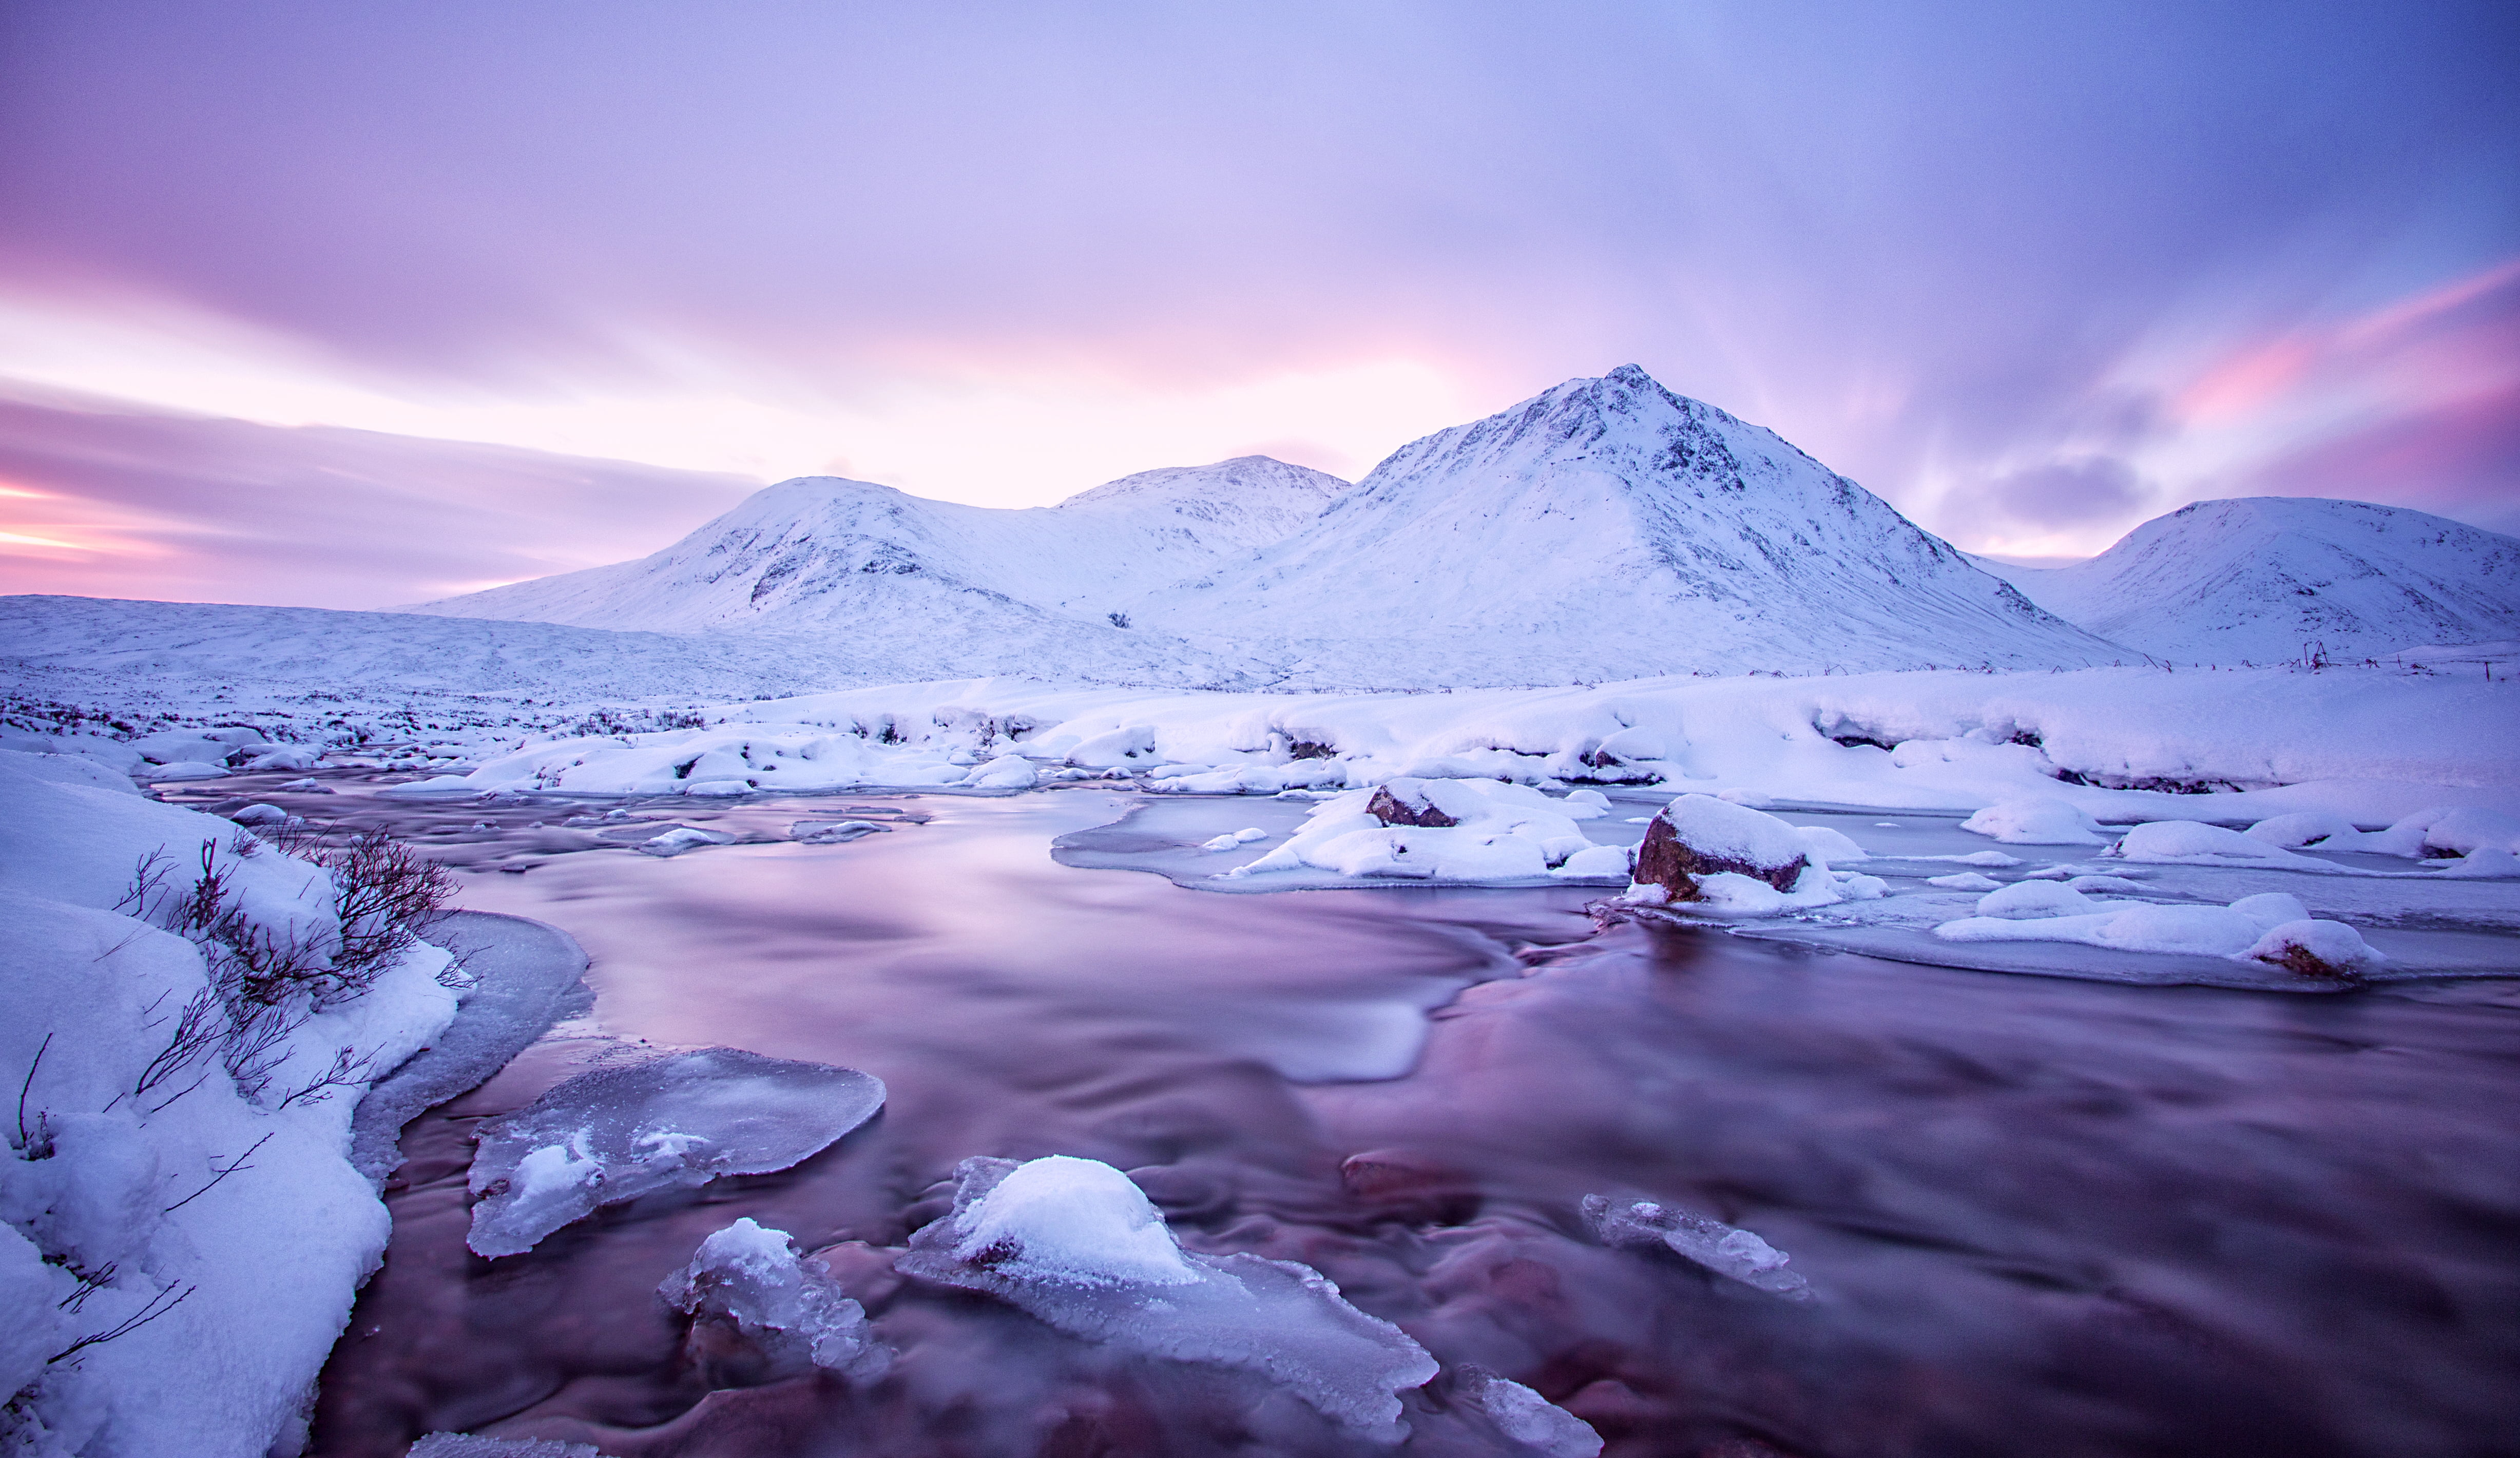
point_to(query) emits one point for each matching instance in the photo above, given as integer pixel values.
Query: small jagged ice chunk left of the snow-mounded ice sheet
(785, 1303)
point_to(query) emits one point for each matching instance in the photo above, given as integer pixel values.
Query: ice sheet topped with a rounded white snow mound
(1077, 1245)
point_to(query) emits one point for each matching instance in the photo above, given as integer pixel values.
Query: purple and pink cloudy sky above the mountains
(357, 306)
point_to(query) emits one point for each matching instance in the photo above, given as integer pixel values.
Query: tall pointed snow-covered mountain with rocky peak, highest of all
(1612, 530)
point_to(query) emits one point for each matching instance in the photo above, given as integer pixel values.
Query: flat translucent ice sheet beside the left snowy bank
(669, 1122)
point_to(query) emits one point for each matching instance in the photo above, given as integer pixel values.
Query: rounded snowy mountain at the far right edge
(2267, 578)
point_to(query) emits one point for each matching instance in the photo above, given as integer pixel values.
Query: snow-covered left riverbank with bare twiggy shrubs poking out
(180, 1223)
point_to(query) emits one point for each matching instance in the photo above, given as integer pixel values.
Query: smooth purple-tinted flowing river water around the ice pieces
(2040, 1218)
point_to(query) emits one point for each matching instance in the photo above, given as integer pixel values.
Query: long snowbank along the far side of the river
(2118, 747)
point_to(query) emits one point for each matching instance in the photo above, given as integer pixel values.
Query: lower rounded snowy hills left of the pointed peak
(858, 563)
